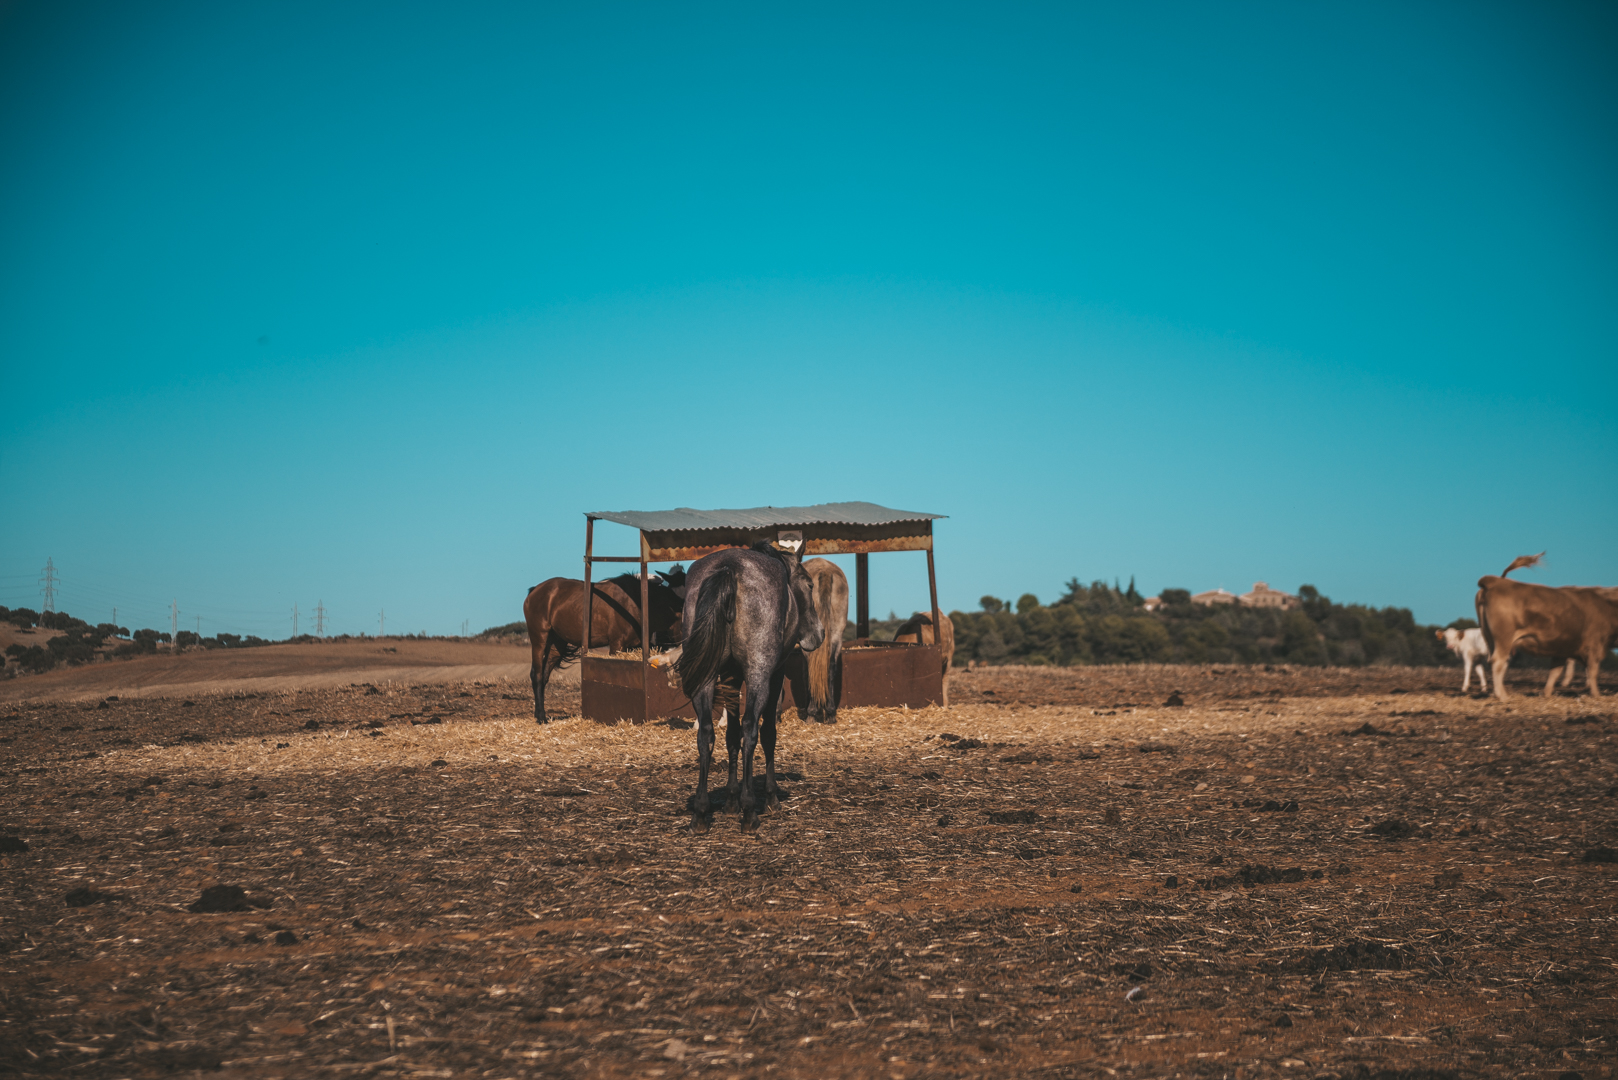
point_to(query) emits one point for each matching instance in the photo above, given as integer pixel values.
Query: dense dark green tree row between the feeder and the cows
(1106, 624)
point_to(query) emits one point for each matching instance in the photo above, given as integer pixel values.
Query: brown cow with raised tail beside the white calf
(1557, 623)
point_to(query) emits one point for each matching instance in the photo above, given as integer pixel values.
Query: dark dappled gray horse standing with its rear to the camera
(745, 611)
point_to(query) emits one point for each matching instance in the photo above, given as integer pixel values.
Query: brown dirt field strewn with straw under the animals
(1298, 874)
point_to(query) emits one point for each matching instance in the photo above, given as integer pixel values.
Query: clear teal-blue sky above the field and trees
(368, 304)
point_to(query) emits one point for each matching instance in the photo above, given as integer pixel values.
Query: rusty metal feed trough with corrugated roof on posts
(875, 673)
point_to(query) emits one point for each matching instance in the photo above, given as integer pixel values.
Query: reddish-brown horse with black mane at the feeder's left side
(556, 621)
